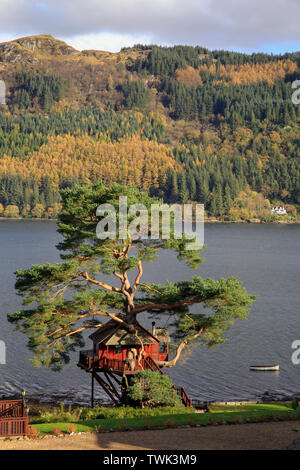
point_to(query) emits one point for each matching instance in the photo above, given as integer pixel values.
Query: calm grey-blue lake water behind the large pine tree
(264, 257)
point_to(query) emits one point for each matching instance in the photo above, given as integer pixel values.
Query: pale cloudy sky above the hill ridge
(270, 26)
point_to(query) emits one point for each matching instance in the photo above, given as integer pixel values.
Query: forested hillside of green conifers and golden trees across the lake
(184, 123)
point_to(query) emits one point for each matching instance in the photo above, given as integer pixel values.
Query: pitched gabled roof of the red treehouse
(116, 334)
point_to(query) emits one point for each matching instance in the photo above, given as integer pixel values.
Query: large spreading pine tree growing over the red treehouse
(63, 300)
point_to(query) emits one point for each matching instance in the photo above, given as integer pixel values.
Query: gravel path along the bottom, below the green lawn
(258, 436)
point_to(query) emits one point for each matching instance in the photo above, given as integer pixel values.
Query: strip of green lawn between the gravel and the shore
(218, 414)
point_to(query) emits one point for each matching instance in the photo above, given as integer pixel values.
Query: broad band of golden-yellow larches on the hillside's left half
(135, 161)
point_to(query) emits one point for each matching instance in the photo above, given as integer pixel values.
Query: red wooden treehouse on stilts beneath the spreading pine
(120, 352)
